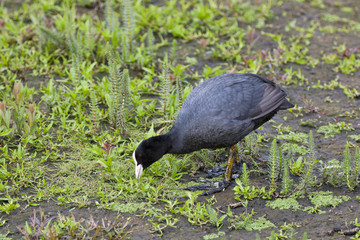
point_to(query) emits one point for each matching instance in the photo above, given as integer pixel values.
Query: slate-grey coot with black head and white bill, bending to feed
(217, 113)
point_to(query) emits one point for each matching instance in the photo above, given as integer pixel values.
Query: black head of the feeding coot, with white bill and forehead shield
(148, 152)
